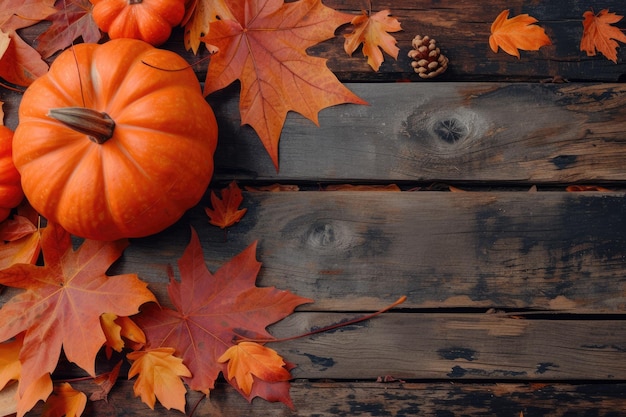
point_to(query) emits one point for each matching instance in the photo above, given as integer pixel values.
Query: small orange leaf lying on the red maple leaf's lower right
(248, 359)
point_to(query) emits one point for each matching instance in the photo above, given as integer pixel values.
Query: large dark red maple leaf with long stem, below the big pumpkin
(211, 310)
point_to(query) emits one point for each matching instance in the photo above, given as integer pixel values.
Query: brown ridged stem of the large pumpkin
(97, 125)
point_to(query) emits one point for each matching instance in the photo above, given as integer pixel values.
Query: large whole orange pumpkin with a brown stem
(115, 141)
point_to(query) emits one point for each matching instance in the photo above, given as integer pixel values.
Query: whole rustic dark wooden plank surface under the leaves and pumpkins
(516, 288)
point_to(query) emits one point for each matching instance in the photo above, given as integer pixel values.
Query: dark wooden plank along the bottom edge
(370, 399)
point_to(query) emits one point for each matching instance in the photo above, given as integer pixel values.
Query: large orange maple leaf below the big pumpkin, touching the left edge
(63, 301)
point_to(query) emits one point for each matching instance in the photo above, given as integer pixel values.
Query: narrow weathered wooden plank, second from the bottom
(456, 346)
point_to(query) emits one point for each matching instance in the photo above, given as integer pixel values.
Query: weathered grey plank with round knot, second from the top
(529, 133)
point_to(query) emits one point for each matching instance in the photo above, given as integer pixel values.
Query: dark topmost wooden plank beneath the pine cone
(462, 30)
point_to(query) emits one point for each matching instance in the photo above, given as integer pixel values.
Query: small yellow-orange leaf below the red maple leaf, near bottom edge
(159, 373)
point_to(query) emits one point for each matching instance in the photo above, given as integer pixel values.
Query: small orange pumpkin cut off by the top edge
(148, 20)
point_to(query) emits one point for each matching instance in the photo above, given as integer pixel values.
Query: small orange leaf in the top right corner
(599, 35)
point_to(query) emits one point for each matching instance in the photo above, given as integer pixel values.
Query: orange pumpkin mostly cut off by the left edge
(10, 189)
